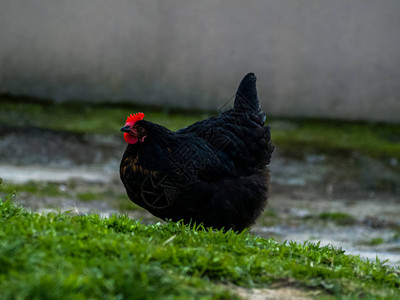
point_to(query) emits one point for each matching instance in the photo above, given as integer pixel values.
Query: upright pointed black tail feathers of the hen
(246, 96)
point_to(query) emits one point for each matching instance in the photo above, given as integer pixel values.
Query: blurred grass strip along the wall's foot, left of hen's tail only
(75, 117)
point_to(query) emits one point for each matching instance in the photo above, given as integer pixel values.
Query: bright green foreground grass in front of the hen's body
(60, 256)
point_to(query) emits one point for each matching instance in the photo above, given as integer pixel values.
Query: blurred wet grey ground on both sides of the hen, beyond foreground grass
(303, 190)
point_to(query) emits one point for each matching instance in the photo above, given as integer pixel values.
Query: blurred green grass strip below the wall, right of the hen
(337, 137)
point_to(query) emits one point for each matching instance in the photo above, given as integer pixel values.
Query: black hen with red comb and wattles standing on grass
(212, 172)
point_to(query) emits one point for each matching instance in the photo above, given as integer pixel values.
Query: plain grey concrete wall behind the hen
(312, 57)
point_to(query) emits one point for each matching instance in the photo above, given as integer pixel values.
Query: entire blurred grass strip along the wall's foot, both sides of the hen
(292, 136)
